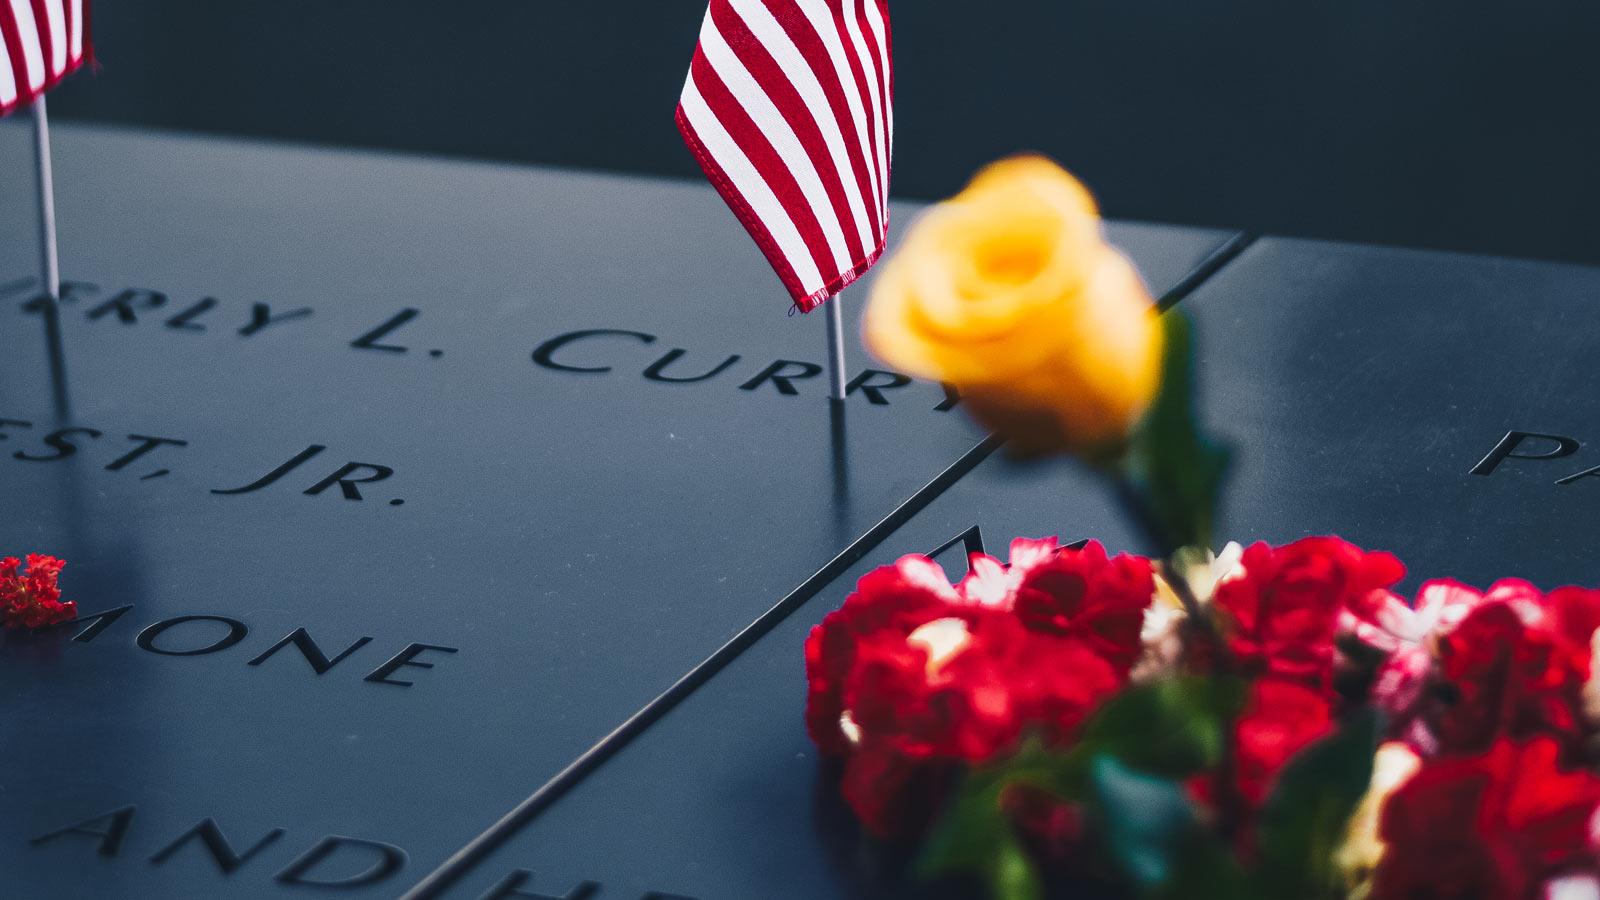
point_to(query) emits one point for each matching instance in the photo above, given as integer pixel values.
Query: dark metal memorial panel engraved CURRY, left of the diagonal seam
(566, 544)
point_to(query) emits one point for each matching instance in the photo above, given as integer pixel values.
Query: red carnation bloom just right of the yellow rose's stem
(1286, 608)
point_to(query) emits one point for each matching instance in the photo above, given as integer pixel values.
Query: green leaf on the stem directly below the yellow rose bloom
(1172, 472)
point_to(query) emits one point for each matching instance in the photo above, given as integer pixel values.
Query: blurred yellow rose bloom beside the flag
(1010, 294)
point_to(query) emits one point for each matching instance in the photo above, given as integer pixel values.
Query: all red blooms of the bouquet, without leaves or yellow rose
(1495, 693)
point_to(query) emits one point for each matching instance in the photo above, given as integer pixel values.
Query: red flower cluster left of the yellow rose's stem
(913, 678)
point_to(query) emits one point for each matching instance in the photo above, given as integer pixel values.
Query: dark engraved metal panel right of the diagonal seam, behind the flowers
(1362, 388)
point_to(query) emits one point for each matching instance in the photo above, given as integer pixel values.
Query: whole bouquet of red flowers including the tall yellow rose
(1263, 723)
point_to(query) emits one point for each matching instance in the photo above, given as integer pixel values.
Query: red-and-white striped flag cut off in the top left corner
(41, 44)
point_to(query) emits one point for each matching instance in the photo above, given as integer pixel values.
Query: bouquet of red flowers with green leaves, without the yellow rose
(1065, 720)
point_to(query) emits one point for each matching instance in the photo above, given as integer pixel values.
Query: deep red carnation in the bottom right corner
(1489, 827)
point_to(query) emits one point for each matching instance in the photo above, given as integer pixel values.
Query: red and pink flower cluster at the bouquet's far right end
(1497, 694)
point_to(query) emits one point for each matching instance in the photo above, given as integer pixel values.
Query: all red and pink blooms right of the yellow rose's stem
(1489, 689)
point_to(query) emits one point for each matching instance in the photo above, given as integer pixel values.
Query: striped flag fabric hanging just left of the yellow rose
(790, 111)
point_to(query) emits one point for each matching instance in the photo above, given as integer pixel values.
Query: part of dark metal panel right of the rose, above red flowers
(1366, 385)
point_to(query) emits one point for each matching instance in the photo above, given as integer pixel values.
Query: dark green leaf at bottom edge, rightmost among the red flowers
(1305, 821)
